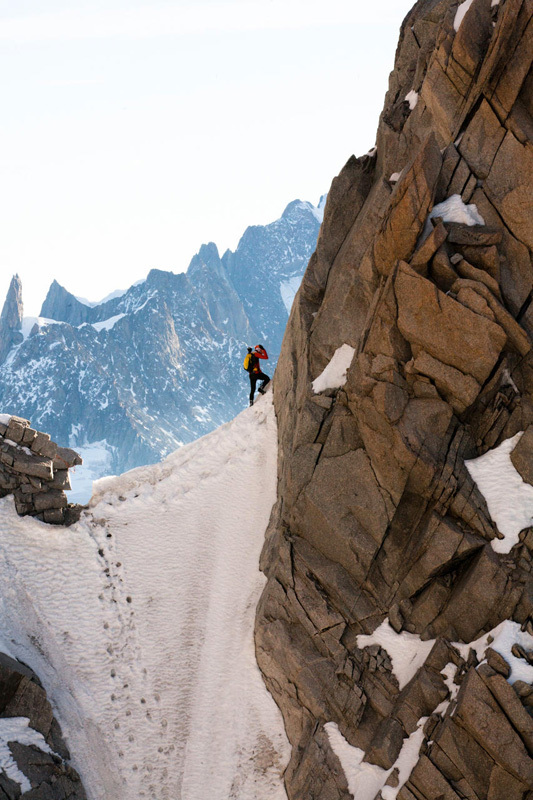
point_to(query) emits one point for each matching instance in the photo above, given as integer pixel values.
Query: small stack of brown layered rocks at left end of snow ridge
(35, 470)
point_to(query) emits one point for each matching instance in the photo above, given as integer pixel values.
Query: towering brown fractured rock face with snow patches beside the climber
(423, 266)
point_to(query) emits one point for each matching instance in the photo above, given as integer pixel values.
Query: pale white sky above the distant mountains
(135, 131)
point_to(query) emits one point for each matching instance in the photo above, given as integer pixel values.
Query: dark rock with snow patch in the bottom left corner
(34, 757)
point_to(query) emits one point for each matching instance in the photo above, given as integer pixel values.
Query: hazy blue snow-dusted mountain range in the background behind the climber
(130, 379)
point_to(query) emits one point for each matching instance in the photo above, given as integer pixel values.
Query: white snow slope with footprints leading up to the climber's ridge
(139, 621)
